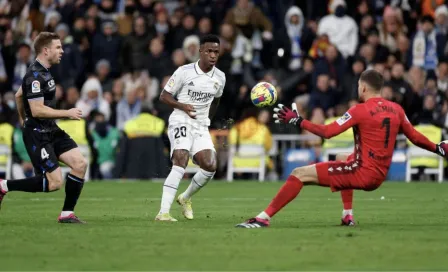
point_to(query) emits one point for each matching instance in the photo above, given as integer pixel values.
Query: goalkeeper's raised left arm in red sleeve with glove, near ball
(291, 116)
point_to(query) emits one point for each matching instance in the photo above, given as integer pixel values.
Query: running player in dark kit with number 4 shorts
(45, 142)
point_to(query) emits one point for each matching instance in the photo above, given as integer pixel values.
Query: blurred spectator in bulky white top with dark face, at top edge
(340, 28)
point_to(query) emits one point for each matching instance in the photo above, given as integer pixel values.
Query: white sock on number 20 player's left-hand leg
(170, 188)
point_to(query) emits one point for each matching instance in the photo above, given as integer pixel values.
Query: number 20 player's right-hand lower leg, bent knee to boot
(207, 161)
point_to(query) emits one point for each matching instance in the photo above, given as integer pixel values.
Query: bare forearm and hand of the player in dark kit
(39, 110)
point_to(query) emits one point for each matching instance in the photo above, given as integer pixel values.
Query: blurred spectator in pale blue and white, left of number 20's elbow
(129, 107)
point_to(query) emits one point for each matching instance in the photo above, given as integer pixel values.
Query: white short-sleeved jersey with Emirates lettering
(190, 85)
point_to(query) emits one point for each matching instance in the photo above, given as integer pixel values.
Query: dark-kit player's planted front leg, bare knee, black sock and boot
(73, 184)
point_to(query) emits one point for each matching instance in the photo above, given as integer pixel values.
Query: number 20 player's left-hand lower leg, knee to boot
(180, 161)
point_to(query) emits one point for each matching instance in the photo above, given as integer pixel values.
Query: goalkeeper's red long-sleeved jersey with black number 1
(376, 124)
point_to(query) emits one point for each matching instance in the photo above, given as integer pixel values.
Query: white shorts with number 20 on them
(189, 137)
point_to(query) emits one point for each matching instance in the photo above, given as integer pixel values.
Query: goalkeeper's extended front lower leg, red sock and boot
(299, 177)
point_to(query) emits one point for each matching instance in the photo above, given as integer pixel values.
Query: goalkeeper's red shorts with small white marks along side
(347, 175)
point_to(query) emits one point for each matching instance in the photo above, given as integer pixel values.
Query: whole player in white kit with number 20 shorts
(193, 91)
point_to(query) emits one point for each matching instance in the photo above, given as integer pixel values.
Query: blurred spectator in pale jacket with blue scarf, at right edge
(427, 45)
